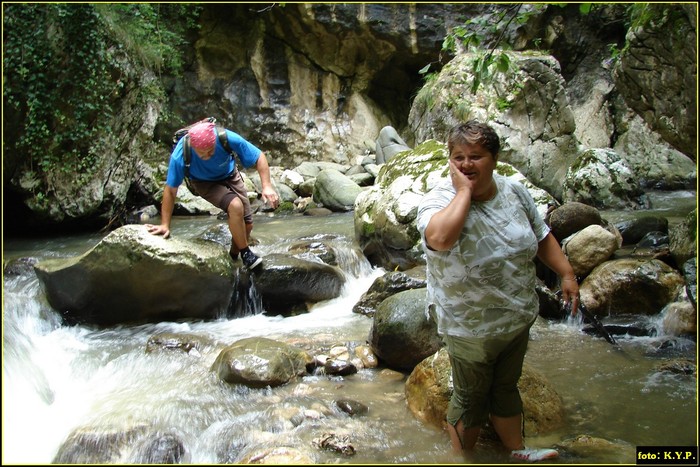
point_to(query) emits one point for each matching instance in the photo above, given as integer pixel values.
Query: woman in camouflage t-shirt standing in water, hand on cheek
(481, 232)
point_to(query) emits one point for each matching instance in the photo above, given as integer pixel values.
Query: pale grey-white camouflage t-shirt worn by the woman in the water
(485, 285)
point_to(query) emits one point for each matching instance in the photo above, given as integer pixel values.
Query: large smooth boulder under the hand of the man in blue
(132, 275)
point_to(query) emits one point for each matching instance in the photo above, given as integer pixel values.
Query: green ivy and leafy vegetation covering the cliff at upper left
(63, 73)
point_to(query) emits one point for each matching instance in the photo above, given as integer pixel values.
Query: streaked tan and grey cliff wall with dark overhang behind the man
(312, 81)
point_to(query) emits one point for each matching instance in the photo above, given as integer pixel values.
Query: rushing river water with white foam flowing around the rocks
(57, 378)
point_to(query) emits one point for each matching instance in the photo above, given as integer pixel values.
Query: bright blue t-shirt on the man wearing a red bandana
(219, 167)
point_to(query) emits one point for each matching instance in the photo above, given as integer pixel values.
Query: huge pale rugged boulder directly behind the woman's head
(527, 105)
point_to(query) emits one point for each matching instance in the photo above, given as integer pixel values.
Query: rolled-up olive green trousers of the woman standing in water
(485, 374)
